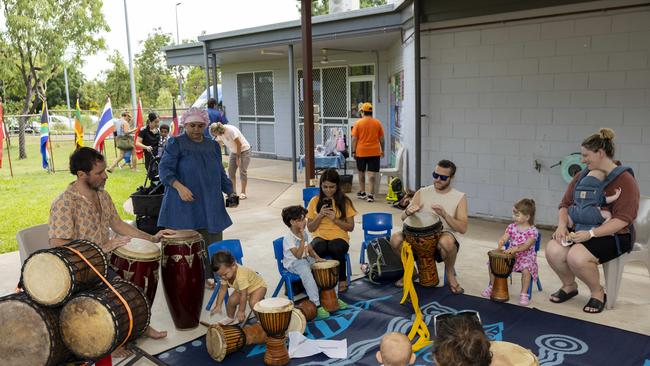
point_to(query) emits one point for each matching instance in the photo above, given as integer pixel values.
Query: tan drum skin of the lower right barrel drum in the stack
(87, 327)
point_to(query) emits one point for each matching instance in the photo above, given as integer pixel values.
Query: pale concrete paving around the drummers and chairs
(257, 222)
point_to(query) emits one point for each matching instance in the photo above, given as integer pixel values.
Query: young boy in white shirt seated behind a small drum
(299, 254)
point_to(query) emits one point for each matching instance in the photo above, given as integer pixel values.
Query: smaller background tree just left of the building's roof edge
(154, 73)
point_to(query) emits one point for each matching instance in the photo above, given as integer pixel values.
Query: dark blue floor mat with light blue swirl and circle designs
(375, 310)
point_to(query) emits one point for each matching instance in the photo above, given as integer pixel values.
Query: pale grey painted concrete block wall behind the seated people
(499, 98)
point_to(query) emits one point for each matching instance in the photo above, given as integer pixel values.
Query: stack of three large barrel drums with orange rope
(67, 310)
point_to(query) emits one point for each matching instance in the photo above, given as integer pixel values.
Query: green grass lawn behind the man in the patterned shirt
(25, 199)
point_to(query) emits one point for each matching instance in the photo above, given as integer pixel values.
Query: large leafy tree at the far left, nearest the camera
(38, 34)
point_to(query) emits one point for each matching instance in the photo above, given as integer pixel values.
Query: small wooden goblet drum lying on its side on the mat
(222, 340)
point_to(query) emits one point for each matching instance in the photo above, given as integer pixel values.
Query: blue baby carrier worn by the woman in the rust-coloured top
(589, 196)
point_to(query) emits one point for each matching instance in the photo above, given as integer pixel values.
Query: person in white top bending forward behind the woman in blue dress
(240, 153)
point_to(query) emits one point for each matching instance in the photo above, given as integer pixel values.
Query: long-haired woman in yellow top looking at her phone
(330, 217)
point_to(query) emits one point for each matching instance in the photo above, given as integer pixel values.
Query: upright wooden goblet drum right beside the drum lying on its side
(274, 315)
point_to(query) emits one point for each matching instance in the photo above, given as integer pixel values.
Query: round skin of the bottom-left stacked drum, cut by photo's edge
(24, 335)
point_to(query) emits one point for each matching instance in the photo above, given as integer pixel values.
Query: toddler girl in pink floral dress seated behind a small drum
(522, 235)
